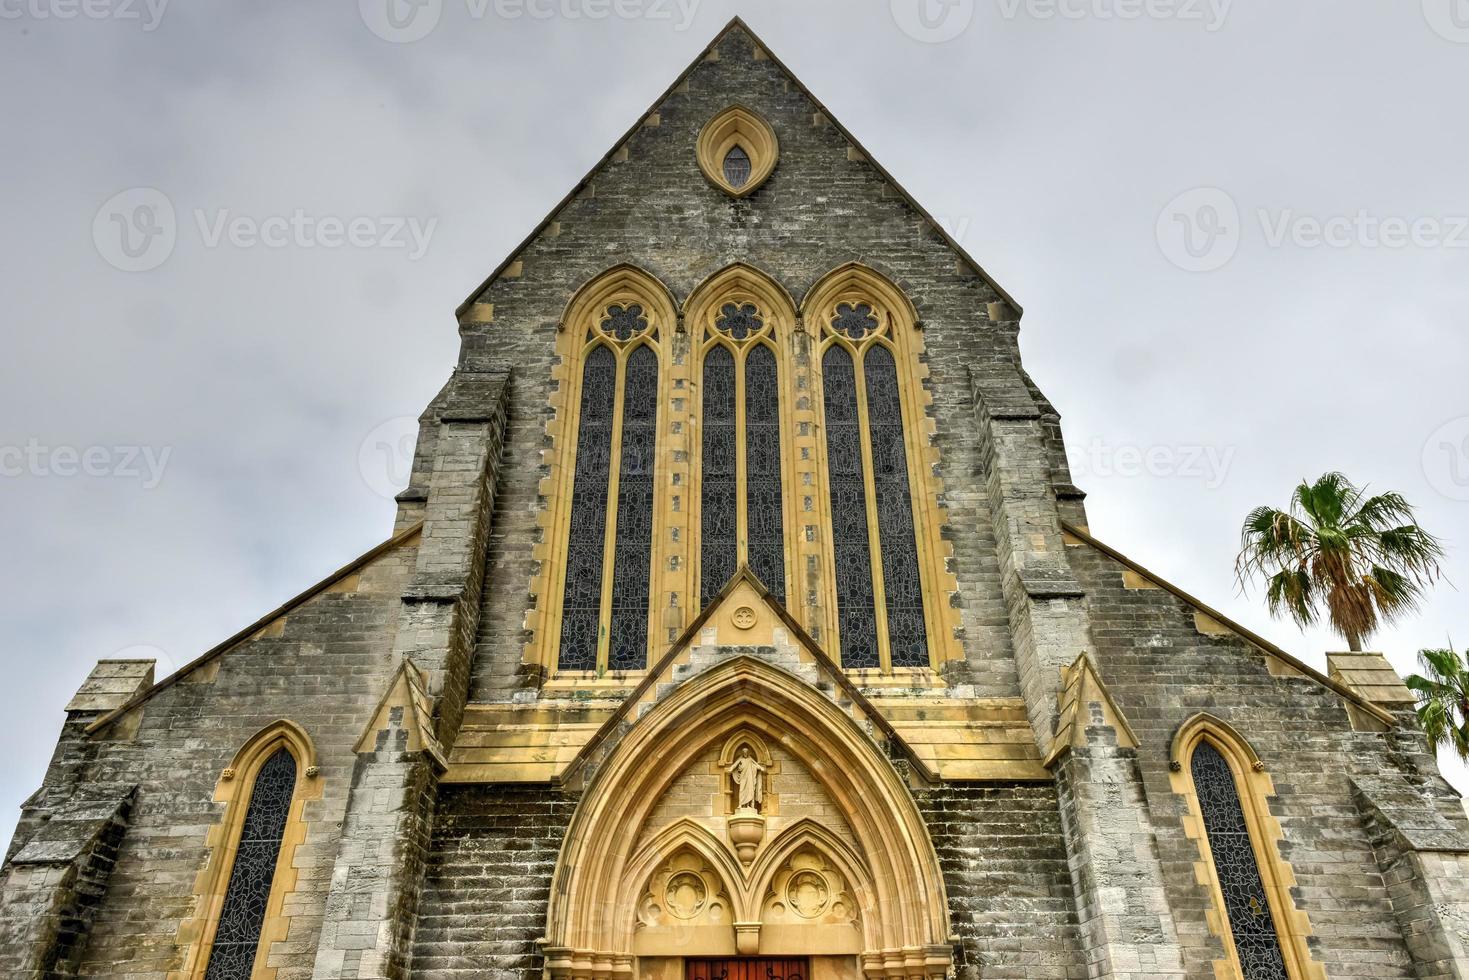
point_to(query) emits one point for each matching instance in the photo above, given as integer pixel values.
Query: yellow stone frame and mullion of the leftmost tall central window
(622, 284)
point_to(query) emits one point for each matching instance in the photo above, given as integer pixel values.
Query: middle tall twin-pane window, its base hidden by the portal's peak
(741, 461)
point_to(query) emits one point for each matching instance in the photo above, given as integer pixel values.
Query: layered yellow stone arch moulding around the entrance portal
(590, 918)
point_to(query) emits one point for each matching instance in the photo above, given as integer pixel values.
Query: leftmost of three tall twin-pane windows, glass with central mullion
(607, 590)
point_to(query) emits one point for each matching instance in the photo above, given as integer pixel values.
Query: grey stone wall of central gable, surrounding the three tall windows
(822, 208)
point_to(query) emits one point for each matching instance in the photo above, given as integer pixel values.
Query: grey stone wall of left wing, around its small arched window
(325, 669)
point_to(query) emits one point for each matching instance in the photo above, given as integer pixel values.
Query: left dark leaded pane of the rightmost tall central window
(854, 562)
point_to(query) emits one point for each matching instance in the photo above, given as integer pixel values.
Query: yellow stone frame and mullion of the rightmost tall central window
(898, 331)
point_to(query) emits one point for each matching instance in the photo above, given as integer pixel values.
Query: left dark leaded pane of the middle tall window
(719, 506)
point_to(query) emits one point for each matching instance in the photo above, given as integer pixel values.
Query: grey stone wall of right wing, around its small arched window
(1163, 671)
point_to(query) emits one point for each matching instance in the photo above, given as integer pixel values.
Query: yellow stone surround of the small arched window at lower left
(236, 785)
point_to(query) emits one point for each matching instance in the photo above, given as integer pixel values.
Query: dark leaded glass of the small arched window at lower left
(245, 912)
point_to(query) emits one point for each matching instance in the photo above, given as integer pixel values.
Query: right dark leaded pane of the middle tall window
(763, 505)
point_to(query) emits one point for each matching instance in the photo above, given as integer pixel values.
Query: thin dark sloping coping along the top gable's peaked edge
(738, 26)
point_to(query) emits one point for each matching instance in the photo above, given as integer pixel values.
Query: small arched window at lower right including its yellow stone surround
(1238, 838)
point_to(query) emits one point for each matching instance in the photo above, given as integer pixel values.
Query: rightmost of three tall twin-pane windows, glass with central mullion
(875, 549)
